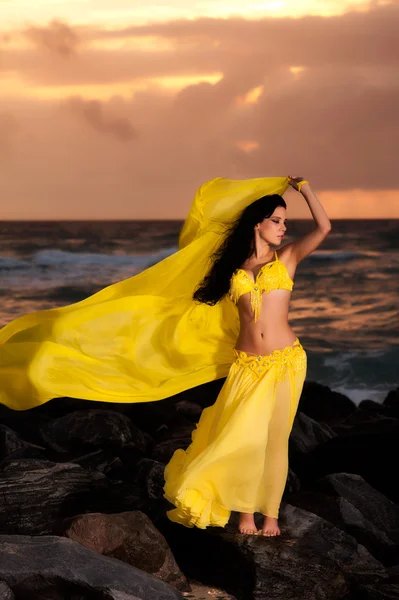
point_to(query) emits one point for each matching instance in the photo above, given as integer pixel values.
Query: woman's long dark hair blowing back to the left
(236, 248)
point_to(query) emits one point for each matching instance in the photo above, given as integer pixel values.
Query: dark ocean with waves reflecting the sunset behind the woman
(344, 306)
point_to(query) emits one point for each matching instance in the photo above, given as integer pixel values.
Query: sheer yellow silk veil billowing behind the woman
(141, 339)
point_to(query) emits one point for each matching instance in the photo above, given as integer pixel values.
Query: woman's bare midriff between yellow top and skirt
(272, 330)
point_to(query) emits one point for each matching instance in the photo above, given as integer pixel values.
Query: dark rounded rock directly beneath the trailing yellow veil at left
(89, 429)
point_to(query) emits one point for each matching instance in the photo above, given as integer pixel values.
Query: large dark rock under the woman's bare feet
(312, 559)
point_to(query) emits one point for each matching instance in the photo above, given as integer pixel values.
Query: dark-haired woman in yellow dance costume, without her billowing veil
(238, 459)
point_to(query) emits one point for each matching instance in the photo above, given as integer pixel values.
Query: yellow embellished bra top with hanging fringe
(272, 276)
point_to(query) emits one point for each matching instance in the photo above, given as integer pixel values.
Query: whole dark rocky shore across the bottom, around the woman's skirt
(82, 513)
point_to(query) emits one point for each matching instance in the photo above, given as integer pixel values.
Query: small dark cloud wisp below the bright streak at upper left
(93, 113)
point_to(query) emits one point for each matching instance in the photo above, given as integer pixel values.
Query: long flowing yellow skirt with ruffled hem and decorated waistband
(238, 458)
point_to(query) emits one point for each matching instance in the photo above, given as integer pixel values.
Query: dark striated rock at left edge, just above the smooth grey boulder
(36, 495)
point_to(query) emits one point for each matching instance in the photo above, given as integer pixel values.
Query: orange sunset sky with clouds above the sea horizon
(121, 109)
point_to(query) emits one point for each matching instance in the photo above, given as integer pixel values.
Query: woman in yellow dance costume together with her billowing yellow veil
(182, 323)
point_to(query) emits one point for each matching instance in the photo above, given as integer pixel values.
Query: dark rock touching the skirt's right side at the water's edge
(322, 404)
